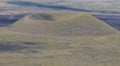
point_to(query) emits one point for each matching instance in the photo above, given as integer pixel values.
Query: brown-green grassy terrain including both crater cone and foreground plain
(59, 39)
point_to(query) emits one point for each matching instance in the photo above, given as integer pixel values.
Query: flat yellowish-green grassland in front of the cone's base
(35, 50)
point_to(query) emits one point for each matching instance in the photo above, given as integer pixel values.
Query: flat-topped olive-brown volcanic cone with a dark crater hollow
(62, 24)
